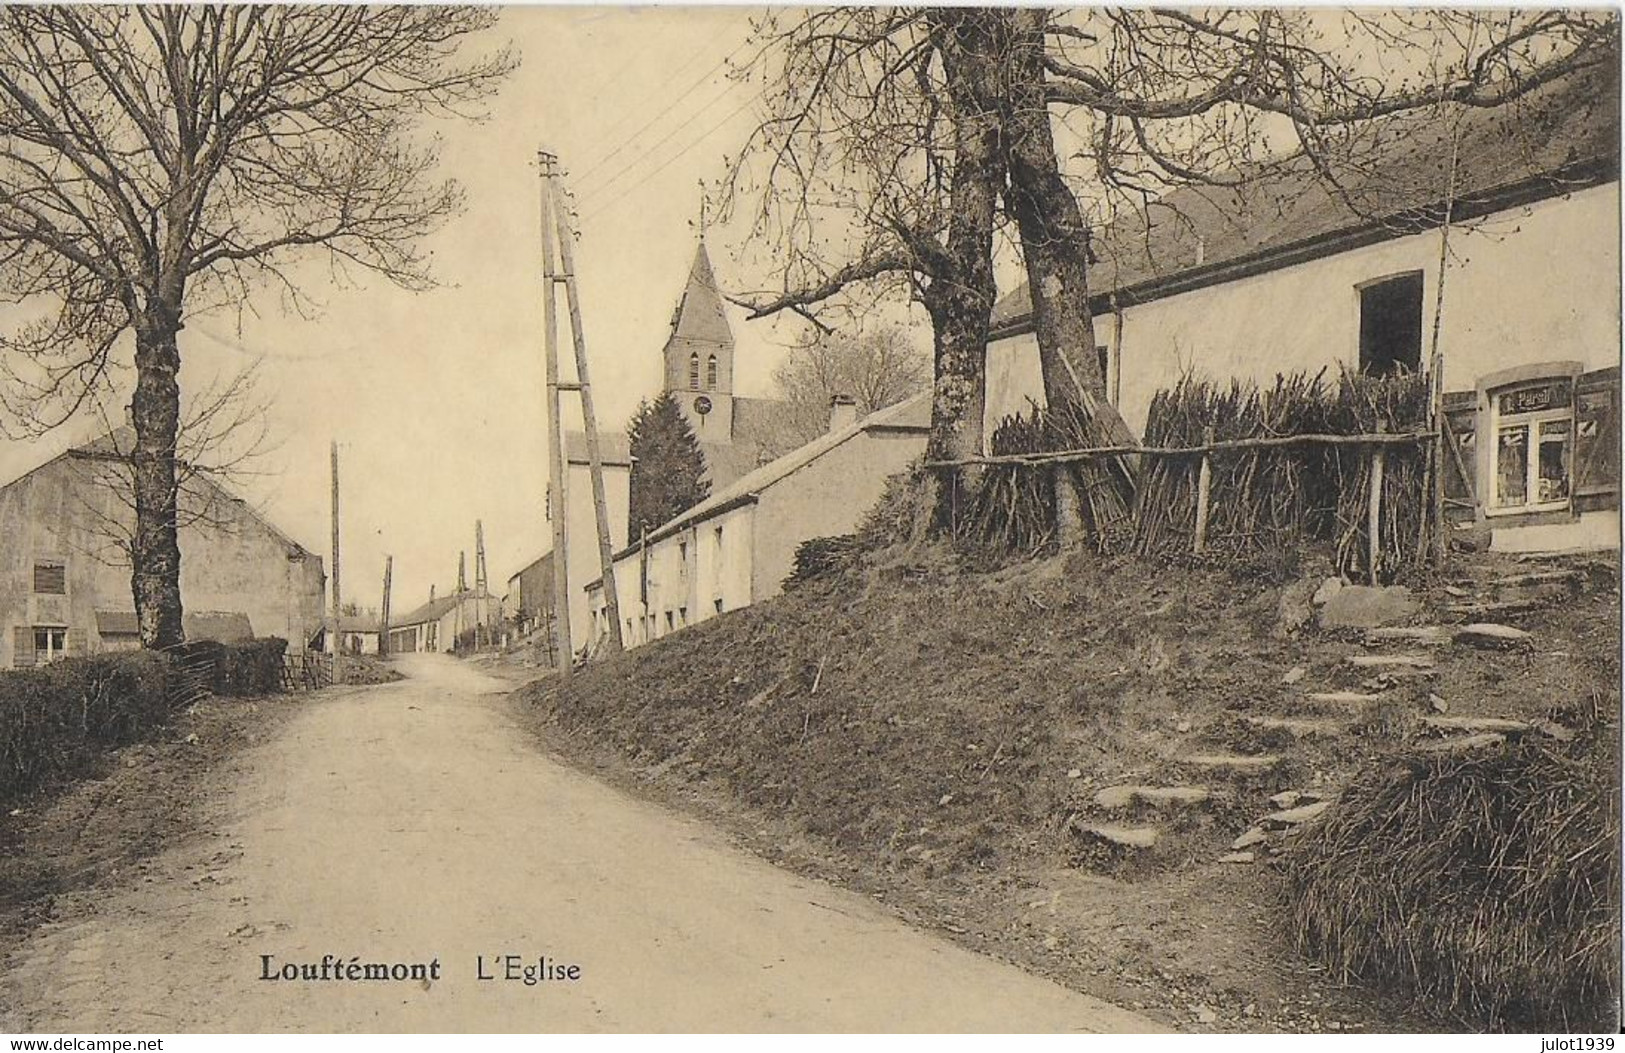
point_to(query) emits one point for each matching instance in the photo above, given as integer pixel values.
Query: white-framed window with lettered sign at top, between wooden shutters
(1533, 451)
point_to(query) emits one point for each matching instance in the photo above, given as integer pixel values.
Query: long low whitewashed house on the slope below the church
(737, 547)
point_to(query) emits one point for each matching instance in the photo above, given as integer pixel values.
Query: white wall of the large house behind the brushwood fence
(1528, 293)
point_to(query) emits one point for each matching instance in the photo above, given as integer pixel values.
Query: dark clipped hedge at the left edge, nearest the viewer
(56, 719)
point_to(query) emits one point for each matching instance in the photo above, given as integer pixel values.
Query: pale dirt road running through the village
(412, 823)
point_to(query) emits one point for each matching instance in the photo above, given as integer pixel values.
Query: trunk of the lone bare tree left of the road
(155, 410)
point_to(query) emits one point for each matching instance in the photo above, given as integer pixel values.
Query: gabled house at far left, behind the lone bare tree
(66, 574)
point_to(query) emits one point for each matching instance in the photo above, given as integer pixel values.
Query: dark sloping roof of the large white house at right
(1561, 129)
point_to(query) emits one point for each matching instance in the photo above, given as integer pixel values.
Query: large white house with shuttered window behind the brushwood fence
(1285, 275)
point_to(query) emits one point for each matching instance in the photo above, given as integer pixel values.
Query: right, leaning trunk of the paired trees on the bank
(1054, 235)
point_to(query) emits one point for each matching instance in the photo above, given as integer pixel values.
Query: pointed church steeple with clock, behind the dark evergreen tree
(700, 353)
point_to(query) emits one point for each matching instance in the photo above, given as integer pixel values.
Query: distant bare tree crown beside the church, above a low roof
(877, 368)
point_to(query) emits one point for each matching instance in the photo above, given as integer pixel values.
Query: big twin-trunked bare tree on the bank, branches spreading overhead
(929, 113)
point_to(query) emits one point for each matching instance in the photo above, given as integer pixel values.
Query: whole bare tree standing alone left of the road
(162, 162)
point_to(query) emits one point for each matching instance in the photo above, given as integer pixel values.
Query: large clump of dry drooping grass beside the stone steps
(1488, 885)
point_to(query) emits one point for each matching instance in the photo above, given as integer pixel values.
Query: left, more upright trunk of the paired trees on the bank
(963, 287)
